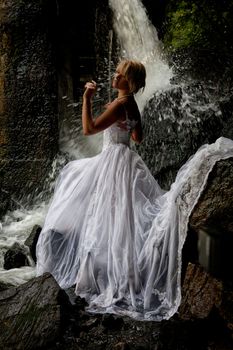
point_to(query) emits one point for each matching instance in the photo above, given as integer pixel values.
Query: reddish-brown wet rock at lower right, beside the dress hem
(206, 298)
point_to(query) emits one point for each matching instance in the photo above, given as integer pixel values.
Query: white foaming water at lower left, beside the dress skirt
(17, 226)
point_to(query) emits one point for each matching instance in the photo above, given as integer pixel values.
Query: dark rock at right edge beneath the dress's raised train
(212, 220)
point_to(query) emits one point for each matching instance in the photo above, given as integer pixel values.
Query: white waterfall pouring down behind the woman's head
(138, 40)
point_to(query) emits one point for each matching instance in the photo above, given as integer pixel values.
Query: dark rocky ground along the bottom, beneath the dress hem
(39, 315)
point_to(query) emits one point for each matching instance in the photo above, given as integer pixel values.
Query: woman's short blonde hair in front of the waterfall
(135, 73)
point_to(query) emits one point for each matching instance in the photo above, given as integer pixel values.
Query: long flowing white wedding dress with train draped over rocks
(116, 235)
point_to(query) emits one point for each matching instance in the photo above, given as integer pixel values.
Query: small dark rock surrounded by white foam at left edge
(15, 257)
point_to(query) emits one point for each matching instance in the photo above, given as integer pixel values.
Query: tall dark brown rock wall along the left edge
(28, 140)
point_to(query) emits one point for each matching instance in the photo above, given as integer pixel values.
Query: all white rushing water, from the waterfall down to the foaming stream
(137, 39)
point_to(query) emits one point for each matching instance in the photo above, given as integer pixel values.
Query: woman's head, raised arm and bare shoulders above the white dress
(129, 78)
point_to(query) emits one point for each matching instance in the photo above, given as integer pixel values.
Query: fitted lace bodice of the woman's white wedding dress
(116, 134)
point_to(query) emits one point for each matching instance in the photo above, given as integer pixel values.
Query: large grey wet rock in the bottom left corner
(30, 315)
